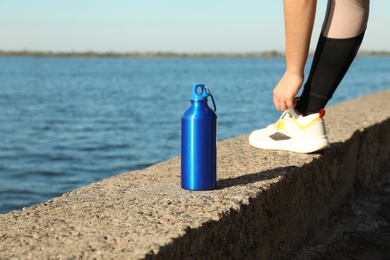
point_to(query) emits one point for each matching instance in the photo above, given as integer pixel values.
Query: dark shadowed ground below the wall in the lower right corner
(359, 230)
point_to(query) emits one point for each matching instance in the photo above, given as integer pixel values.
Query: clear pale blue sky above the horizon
(162, 25)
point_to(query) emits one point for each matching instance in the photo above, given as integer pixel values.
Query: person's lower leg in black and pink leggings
(340, 39)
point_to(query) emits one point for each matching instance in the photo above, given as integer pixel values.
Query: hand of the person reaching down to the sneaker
(286, 90)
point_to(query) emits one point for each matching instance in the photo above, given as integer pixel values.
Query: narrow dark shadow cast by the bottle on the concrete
(254, 177)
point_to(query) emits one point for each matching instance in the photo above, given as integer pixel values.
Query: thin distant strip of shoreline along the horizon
(93, 54)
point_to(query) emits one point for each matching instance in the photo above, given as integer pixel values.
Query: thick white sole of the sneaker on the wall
(298, 145)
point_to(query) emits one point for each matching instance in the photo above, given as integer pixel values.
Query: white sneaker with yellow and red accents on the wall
(293, 132)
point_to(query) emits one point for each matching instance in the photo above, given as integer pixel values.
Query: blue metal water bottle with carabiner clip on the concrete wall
(199, 142)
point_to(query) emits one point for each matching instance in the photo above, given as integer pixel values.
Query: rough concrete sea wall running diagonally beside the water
(268, 204)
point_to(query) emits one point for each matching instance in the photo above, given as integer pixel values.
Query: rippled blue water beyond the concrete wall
(68, 122)
